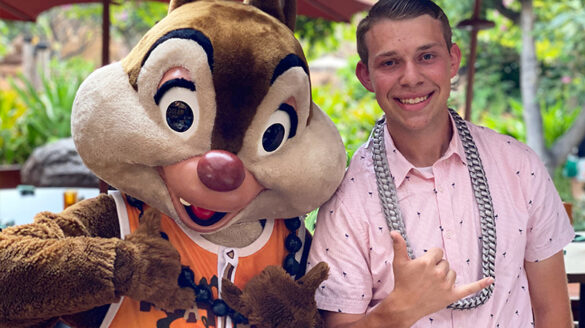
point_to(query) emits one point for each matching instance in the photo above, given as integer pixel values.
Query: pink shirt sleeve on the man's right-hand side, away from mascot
(549, 227)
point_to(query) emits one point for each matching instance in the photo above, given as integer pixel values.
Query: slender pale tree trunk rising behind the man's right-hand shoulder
(529, 86)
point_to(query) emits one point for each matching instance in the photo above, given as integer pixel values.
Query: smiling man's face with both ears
(410, 70)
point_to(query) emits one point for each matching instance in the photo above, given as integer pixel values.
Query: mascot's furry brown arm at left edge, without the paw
(60, 264)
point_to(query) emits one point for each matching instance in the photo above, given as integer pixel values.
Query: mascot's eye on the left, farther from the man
(178, 103)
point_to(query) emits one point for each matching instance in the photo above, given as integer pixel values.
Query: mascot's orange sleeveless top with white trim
(209, 262)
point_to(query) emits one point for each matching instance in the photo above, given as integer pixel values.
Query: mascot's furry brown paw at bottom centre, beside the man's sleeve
(274, 299)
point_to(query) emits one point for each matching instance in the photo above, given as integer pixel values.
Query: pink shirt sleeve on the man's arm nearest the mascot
(341, 241)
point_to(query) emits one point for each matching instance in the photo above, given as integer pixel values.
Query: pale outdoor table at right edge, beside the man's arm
(575, 267)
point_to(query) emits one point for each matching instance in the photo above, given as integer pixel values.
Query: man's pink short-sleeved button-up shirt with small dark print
(439, 210)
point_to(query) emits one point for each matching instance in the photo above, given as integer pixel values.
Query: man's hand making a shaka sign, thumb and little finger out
(427, 284)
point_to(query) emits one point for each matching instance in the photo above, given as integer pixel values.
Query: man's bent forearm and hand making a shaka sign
(422, 286)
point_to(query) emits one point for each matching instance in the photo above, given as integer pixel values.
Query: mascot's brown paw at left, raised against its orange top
(148, 268)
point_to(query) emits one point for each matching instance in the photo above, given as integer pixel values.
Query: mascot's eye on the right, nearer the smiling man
(281, 126)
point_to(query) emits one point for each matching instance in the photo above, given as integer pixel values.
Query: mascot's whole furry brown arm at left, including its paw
(74, 261)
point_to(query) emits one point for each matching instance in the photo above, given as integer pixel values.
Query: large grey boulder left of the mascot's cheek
(57, 164)
